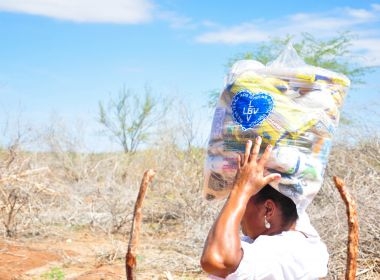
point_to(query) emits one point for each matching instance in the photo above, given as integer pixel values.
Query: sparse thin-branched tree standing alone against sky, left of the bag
(129, 118)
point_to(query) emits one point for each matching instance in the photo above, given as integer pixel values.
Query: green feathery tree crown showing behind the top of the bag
(333, 54)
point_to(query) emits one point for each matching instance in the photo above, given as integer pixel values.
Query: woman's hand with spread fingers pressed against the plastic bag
(250, 177)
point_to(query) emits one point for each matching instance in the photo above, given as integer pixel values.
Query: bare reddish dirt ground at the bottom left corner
(76, 258)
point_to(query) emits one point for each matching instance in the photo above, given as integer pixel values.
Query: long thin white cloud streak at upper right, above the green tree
(324, 23)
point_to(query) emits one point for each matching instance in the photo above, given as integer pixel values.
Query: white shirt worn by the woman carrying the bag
(286, 256)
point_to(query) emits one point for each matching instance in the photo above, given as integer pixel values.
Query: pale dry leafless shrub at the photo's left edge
(24, 193)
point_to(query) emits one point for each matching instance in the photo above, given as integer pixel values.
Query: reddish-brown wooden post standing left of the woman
(130, 258)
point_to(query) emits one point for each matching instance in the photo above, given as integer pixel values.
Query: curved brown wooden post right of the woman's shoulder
(353, 229)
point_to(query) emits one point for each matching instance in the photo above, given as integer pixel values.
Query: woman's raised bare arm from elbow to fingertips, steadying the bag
(222, 252)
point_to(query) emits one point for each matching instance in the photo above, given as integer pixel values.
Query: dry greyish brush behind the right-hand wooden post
(359, 167)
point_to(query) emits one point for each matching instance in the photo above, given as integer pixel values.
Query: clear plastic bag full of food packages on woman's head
(293, 106)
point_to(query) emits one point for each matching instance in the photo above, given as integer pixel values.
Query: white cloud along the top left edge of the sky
(112, 11)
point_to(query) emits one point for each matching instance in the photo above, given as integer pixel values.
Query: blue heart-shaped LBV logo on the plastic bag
(250, 109)
